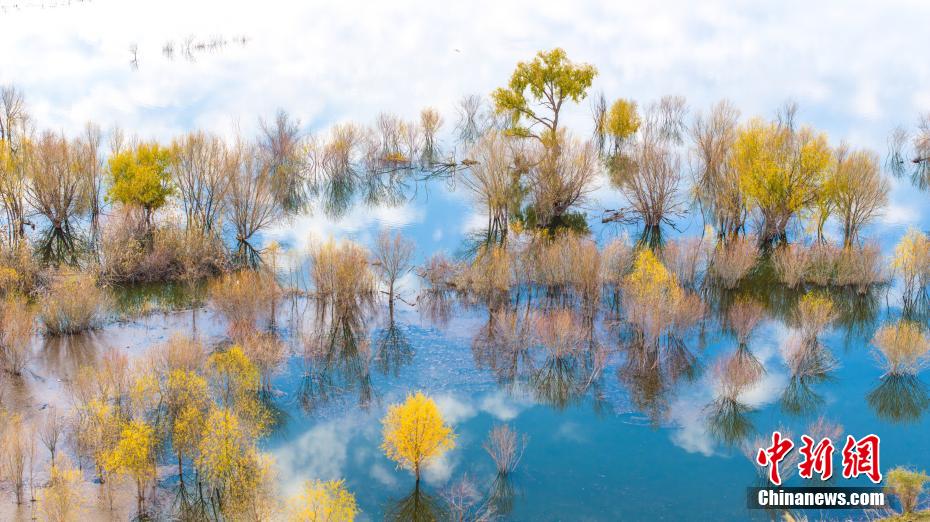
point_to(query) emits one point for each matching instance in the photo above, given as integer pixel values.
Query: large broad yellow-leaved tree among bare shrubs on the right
(781, 171)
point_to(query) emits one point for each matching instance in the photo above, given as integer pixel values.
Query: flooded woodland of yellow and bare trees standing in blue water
(543, 301)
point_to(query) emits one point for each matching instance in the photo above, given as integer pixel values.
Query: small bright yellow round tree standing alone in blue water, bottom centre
(415, 433)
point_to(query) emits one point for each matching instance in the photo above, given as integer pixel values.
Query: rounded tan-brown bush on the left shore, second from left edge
(74, 303)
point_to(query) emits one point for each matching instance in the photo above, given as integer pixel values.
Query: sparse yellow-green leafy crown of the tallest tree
(537, 91)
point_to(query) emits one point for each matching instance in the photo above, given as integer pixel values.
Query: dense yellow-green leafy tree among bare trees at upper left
(140, 177)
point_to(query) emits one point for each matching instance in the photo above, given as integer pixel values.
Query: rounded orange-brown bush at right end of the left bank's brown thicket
(244, 298)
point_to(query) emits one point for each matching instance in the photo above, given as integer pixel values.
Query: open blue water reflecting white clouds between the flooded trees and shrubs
(628, 440)
